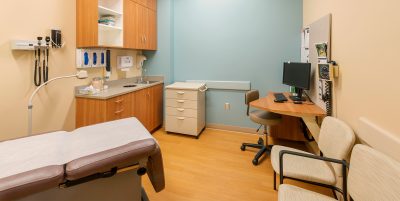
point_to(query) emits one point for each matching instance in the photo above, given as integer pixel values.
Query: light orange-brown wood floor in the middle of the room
(214, 168)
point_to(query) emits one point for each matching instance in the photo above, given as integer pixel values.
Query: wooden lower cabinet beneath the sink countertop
(145, 104)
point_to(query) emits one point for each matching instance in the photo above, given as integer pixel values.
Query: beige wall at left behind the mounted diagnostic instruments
(54, 107)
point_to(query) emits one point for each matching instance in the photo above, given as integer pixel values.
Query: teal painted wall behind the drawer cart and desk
(244, 40)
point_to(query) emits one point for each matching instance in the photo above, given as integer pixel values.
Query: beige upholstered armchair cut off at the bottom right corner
(373, 176)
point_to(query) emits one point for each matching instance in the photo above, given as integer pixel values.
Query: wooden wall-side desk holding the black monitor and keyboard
(289, 129)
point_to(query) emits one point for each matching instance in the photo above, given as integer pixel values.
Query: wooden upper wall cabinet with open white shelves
(135, 27)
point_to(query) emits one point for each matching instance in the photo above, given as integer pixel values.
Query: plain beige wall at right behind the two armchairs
(365, 42)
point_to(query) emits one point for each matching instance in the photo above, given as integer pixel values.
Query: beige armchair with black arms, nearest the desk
(335, 142)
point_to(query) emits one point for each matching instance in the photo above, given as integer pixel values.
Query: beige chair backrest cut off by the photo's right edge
(373, 175)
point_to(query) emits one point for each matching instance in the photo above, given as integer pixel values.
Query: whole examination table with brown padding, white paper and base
(99, 162)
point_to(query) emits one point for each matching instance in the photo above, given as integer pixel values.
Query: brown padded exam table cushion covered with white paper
(36, 163)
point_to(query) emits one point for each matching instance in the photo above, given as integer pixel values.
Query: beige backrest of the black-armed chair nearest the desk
(336, 139)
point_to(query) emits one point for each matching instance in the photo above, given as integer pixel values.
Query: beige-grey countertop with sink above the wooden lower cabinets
(116, 88)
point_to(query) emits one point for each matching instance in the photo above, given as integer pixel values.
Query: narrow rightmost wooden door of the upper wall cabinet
(151, 36)
